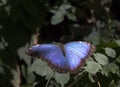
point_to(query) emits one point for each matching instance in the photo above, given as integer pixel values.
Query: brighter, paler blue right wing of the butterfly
(76, 53)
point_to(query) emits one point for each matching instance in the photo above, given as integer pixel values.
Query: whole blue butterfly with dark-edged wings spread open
(64, 58)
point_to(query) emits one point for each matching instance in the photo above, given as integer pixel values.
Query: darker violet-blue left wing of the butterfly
(50, 53)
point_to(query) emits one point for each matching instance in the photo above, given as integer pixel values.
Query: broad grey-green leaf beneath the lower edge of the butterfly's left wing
(40, 67)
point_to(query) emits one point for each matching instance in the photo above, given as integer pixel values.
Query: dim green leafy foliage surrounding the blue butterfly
(58, 21)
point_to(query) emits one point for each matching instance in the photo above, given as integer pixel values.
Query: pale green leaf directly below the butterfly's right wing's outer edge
(92, 67)
